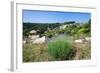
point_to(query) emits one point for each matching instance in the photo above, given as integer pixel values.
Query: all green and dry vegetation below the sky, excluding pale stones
(61, 45)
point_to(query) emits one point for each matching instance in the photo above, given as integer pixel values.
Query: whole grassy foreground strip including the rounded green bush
(58, 48)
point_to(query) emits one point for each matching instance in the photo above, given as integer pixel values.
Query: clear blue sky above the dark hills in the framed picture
(36, 16)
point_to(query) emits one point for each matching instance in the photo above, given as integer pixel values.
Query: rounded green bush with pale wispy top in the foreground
(61, 48)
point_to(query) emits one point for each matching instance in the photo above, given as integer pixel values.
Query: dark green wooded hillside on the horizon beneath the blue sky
(41, 27)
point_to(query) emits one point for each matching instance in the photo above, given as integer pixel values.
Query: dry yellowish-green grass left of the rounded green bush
(35, 53)
